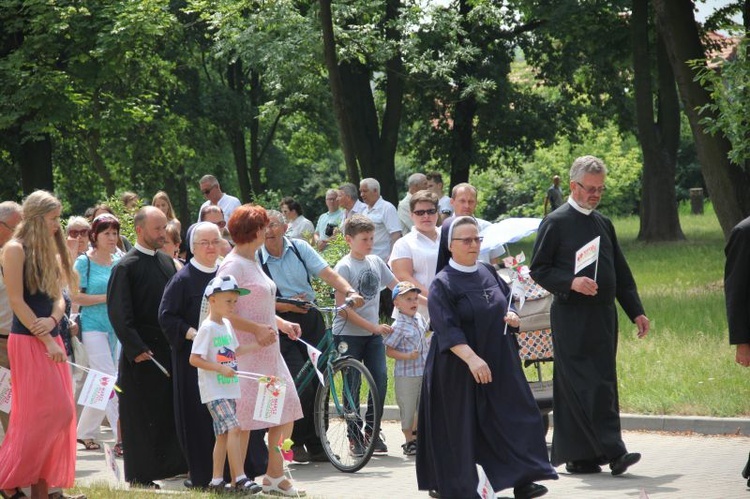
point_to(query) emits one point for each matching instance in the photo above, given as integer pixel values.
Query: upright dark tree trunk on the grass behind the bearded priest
(659, 140)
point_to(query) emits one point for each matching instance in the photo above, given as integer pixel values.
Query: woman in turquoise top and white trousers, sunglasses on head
(97, 334)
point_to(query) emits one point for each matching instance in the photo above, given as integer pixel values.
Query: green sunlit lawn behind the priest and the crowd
(685, 366)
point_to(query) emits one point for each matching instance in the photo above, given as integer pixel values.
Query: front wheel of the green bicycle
(347, 415)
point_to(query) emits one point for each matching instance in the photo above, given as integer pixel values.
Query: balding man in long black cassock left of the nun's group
(151, 448)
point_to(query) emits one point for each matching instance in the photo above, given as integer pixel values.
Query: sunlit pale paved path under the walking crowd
(674, 465)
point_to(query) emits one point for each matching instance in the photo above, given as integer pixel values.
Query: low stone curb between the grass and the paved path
(694, 424)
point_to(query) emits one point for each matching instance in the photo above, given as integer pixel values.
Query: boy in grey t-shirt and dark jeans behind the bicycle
(361, 330)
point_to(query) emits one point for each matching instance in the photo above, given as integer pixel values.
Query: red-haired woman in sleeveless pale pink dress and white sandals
(247, 225)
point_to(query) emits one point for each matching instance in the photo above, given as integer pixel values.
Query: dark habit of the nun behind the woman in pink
(179, 311)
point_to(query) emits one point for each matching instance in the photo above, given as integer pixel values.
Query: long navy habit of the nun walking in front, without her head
(462, 423)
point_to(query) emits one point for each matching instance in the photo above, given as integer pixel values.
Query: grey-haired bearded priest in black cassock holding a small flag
(584, 325)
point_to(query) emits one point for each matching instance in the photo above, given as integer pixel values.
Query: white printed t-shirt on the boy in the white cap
(216, 343)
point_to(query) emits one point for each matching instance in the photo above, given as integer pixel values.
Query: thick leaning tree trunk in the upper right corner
(728, 185)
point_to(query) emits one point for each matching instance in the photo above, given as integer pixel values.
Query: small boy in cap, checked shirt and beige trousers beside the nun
(408, 345)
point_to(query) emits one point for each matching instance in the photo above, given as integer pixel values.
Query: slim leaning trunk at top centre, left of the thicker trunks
(337, 92)
